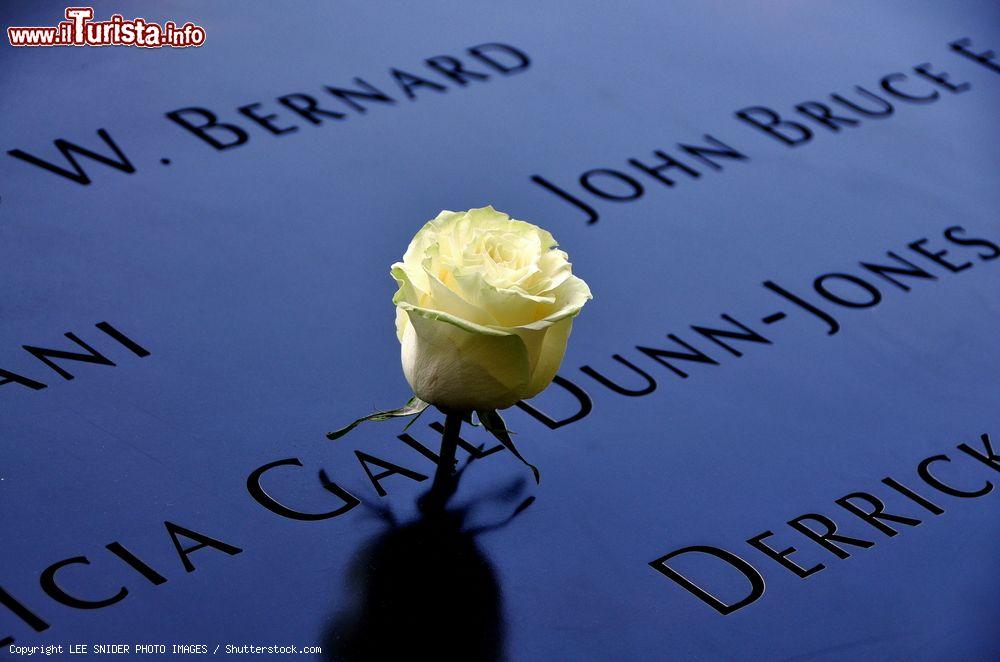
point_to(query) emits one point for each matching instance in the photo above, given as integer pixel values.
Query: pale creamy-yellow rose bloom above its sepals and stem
(484, 310)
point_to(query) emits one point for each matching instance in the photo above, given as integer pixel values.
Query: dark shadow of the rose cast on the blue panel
(425, 587)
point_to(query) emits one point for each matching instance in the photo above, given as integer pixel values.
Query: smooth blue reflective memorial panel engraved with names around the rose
(256, 279)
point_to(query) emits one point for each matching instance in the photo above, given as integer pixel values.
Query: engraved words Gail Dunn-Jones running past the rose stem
(844, 290)
